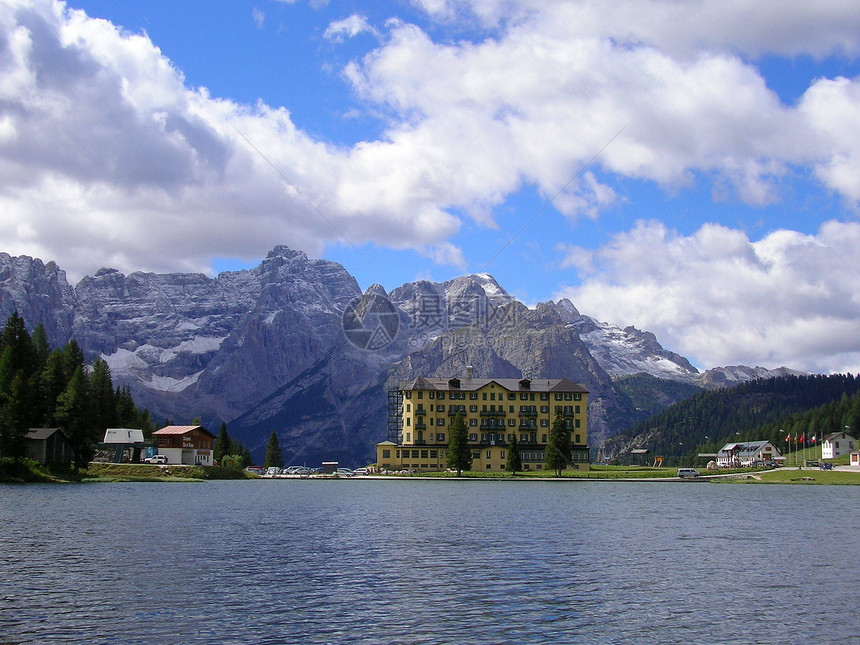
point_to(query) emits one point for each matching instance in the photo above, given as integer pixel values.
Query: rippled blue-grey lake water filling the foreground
(364, 561)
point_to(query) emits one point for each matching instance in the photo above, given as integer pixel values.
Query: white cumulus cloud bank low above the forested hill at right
(719, 297)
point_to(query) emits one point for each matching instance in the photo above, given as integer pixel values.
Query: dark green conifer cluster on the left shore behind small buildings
(43, 387)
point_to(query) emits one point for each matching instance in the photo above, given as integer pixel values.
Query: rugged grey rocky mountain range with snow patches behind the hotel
(294, 346)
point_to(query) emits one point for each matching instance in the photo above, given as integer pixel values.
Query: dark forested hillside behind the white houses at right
(750, 411)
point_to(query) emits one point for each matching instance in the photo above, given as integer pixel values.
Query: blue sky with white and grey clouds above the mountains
(415, 139)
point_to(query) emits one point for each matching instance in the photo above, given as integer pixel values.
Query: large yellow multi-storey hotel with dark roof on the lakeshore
(495, 410)
